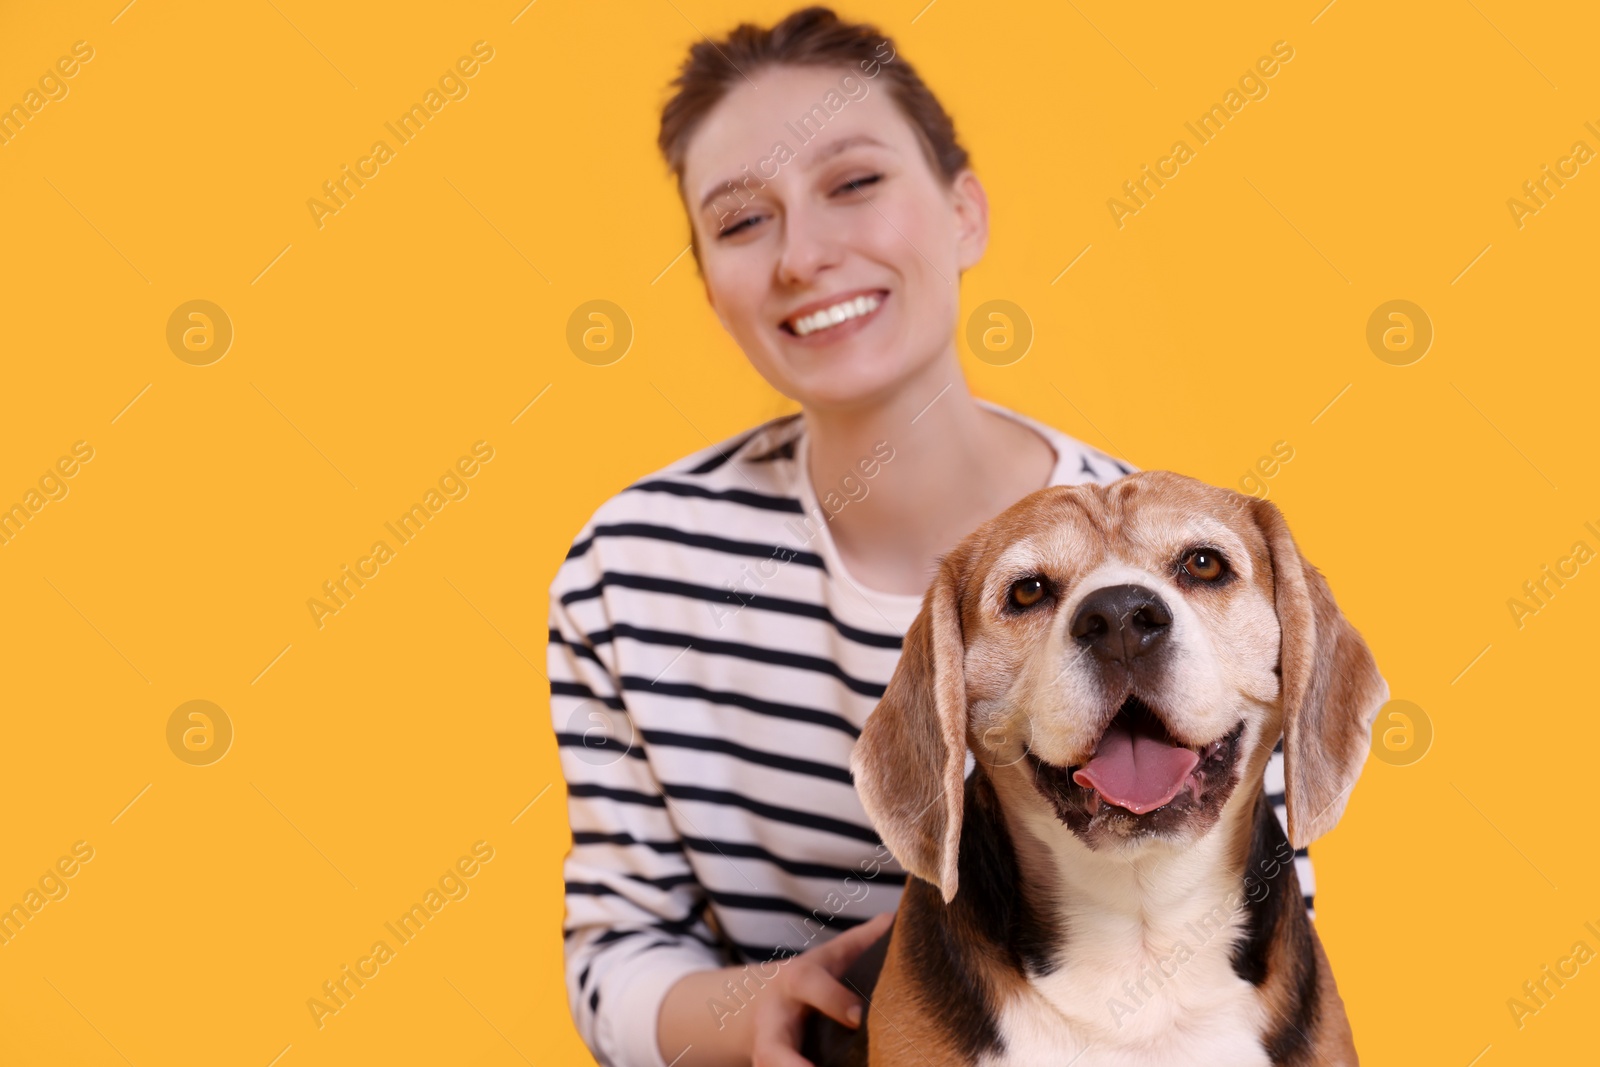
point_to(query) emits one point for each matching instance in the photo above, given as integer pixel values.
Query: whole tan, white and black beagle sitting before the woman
(1111, 887)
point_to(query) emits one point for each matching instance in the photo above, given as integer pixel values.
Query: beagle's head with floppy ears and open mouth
(1122, 657)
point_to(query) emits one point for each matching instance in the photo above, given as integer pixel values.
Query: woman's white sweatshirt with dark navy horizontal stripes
(711, 665)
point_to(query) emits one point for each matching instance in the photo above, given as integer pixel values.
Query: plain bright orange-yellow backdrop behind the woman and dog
(369, 354)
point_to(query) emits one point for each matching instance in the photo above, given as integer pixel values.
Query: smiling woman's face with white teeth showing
(833, 207)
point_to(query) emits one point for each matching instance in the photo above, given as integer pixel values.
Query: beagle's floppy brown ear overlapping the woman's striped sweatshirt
(911, 759)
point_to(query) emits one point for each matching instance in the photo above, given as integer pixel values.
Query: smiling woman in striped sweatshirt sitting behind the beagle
(722, 628)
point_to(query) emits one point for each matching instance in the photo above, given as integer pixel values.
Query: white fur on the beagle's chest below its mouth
(1145, 977)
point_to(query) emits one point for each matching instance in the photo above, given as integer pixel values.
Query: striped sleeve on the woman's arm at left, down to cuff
(636, 914)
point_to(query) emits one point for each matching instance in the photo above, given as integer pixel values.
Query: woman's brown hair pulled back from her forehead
(809, 38)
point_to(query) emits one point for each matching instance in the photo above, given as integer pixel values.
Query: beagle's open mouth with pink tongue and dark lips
(1142, 770)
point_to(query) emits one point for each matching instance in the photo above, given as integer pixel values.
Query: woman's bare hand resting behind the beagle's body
(806, 983)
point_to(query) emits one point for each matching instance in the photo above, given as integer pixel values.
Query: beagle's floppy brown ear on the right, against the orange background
(1330, 685)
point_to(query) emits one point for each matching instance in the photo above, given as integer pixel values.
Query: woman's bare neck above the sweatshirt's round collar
(954, 466)
